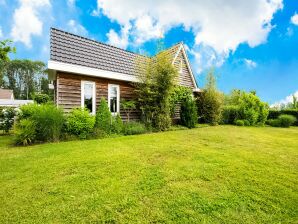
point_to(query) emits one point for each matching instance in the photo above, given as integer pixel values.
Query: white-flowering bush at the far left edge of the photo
(7, 118)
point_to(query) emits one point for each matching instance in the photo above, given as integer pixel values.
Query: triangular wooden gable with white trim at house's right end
(186, 78)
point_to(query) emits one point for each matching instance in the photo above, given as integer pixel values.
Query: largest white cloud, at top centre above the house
(218, 25)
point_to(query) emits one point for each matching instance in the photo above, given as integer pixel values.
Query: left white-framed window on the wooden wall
(88, 96)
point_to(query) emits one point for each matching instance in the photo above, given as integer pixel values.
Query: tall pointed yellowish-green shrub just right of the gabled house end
(210, 102)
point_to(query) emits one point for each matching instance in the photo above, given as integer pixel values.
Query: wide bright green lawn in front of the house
(220, 174)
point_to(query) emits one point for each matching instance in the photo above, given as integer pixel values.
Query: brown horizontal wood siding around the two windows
(69, 92)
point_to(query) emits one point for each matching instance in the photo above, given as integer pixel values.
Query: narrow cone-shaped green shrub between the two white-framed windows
(103, 117)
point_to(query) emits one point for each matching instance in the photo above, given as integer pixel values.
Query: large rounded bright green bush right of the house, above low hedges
(249, 107)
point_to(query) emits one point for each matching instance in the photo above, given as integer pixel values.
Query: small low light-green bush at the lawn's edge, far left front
(25, 133)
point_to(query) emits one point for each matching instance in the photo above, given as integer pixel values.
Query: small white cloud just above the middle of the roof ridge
(119, 40)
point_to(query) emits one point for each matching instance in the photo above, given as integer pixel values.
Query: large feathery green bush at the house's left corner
(48, 118)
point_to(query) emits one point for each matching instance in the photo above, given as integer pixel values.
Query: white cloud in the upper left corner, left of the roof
(26, 20)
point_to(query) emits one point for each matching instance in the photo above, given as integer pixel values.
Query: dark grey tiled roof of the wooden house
(77, 50)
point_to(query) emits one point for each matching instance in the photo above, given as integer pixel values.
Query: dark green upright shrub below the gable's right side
(188, 113)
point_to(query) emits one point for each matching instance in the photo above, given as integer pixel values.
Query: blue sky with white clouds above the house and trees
(252, 45)
